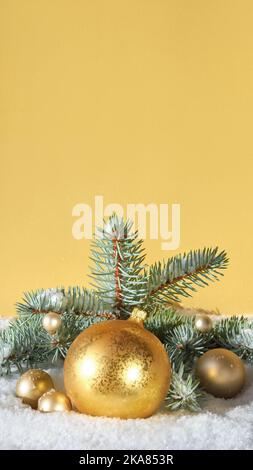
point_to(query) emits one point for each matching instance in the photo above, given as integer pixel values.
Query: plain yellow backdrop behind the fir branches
(135, 100)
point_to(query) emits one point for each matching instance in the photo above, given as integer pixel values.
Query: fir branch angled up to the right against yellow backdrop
(178, 276)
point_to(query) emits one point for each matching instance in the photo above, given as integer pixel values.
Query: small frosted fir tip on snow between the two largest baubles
(184, 392)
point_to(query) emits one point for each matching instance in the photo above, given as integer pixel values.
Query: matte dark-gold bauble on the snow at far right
(221, 372)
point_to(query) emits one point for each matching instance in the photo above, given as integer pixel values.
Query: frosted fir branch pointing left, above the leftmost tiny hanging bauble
(75, 300)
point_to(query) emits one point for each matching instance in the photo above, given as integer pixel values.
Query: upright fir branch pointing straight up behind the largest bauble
(118, 256)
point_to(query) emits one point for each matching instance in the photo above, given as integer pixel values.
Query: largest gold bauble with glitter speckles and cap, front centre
(118, 369)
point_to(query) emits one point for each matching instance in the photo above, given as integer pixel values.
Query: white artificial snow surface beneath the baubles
(224, 424)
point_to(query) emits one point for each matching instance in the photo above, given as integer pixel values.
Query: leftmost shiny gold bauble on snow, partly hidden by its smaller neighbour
(32, 384)
